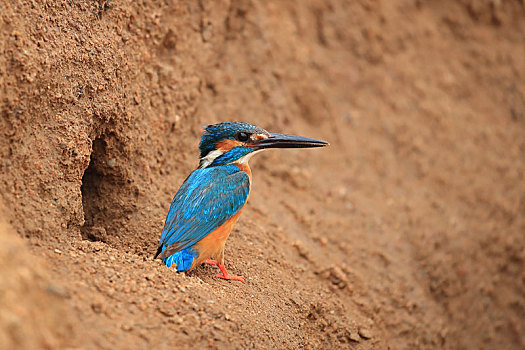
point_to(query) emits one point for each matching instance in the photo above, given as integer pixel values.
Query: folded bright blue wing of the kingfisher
(207, 198)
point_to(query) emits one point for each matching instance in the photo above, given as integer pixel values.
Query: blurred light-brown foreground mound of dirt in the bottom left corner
(34, 309)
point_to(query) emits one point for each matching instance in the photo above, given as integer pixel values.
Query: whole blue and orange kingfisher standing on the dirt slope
(212, 197)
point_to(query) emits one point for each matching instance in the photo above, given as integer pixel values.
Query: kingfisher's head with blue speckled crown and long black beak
(236, 142)
